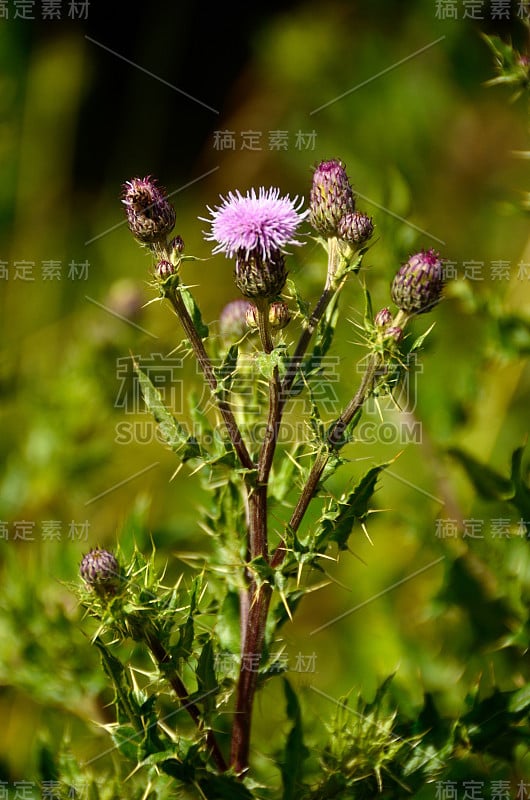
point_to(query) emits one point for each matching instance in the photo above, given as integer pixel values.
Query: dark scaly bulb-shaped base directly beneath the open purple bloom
(260, 276)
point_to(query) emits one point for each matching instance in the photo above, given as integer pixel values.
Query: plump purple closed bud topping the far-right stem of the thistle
(417, 286)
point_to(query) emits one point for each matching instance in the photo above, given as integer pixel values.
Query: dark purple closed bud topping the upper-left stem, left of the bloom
(150, 215)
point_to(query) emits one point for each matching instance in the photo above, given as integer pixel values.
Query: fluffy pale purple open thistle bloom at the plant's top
(262, 223)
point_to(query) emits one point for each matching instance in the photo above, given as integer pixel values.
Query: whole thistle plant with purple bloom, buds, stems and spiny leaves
(260, 573)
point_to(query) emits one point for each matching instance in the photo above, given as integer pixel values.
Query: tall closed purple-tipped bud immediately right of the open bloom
(331, 197)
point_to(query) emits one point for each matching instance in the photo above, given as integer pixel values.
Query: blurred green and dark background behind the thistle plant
(397, 92)
